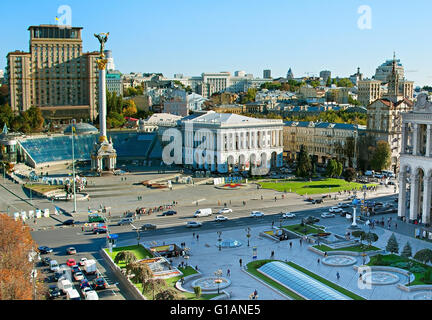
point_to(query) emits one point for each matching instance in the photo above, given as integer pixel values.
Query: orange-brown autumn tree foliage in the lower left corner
(16, 245)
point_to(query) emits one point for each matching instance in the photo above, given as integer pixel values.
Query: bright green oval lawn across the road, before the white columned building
(311, 187)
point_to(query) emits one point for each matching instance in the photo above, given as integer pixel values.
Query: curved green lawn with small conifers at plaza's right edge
(392, 259)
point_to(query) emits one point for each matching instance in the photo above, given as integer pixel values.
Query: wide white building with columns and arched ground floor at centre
(226, 143)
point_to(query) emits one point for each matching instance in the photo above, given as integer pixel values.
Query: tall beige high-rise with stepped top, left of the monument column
(55, 75)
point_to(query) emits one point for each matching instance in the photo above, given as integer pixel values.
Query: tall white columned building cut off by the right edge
(415, 177)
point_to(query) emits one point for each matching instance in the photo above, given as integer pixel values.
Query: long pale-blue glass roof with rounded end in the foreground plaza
(299, 282)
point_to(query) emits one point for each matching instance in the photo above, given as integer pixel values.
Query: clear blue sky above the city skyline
(196, 36)
